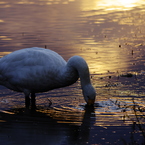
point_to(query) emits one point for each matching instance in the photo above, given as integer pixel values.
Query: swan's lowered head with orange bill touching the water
(89, 94)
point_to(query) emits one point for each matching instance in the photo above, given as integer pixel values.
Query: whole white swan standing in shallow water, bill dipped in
(34, 70)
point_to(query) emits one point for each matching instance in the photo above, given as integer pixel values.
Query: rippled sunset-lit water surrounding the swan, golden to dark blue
(109, 35)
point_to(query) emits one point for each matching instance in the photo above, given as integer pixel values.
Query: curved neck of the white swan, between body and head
(75, 68)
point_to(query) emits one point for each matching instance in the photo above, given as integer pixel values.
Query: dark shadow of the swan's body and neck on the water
(36, 127)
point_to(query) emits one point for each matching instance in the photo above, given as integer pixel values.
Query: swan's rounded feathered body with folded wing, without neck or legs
(34, 68)
